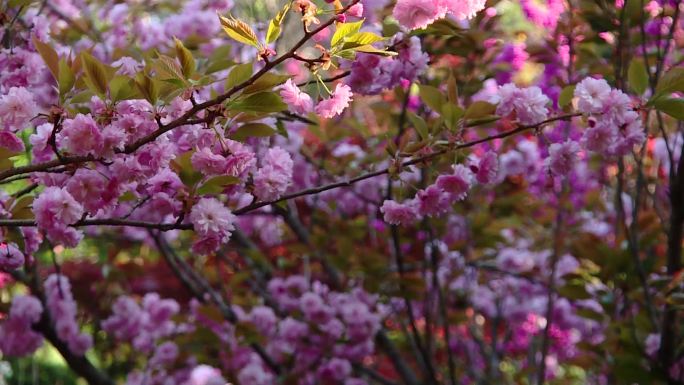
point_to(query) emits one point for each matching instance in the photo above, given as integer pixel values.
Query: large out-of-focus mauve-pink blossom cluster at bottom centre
(317, 332)
